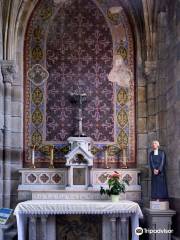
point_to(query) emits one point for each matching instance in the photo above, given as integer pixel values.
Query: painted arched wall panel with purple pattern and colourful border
(41, 77)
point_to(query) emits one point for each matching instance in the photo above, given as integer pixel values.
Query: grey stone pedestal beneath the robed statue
(159, 223)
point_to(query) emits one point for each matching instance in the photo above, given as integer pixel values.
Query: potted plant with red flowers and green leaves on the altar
(116, 185)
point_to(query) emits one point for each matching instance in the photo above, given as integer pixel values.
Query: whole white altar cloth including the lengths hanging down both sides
(58, 207)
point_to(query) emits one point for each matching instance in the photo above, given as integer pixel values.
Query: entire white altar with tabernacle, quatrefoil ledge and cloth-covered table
(63, 199)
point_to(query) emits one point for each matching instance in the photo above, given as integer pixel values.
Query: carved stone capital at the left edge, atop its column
(8, 69)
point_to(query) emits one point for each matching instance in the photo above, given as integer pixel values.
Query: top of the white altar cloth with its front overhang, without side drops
(77, 207)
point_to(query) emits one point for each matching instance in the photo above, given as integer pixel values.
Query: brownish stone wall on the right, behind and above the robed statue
(163, 98)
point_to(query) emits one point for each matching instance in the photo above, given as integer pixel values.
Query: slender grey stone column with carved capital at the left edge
(8, 73)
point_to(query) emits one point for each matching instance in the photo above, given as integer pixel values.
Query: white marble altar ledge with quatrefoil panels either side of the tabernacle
(45, 183)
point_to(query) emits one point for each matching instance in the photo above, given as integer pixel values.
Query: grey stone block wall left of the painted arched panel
(11, 108)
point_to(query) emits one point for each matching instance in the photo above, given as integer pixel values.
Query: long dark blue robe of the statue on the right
(158, 182)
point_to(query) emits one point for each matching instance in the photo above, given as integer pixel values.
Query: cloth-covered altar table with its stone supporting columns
(115, 215)
